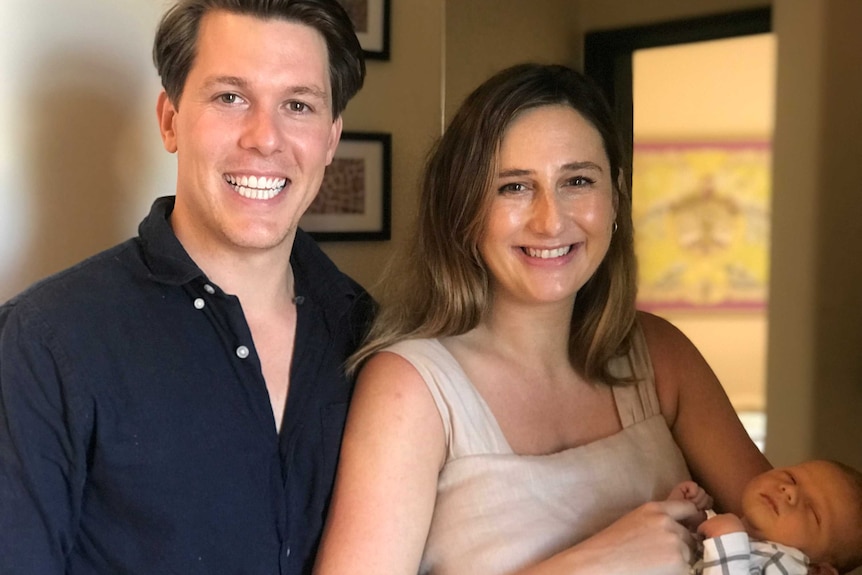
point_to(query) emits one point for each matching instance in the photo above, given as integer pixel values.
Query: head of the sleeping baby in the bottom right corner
(815, 506)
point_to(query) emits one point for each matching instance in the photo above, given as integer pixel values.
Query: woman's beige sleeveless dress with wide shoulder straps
(497, 511)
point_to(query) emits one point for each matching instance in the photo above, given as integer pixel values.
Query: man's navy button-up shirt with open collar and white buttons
(136, 432)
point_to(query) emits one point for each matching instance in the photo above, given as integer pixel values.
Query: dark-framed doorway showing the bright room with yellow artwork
(695, 99)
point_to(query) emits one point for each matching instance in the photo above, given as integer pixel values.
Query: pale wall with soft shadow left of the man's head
(80, 154)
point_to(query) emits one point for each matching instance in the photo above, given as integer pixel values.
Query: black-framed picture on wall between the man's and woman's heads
(354, 200)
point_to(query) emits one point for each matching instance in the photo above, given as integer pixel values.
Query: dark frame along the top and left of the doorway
(608, 55)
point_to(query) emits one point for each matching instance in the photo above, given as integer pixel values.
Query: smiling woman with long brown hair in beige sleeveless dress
(514, 413)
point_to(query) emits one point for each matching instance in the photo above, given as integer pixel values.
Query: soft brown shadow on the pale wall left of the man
(77, 174)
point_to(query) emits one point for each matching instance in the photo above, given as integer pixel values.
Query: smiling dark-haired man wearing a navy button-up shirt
(176, 403)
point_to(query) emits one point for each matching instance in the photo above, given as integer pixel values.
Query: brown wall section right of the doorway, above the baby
(815, 372)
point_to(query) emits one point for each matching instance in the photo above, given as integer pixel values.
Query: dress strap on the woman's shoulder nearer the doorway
(636, 401)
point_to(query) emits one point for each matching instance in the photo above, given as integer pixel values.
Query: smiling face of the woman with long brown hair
(553, 210)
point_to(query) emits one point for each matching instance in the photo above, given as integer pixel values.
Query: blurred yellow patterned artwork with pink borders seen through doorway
(701, 214)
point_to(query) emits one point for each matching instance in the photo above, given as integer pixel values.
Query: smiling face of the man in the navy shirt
(253, 133)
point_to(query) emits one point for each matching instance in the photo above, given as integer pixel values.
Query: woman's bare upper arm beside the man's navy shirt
(386, 485)
